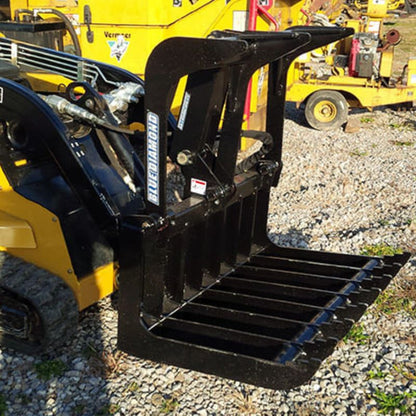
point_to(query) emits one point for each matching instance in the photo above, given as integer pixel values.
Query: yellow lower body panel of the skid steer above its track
(31, 232)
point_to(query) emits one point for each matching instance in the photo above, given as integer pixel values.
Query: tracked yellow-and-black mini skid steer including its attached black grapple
(84, 207)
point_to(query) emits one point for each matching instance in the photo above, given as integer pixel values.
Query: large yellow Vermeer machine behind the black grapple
(124, 34)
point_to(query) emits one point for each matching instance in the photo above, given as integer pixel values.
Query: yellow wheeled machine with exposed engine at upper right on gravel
(354, 72)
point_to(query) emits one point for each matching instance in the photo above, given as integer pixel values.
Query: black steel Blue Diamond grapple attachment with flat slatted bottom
(201, 285)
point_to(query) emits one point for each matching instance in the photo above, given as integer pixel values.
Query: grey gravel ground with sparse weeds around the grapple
(338, 192)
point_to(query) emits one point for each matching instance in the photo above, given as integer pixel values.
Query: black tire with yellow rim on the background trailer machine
(326, 110)
